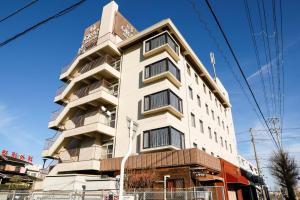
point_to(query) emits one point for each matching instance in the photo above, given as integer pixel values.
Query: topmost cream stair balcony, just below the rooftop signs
(105, 45)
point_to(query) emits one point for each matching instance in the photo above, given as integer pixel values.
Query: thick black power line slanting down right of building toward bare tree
(241, 70)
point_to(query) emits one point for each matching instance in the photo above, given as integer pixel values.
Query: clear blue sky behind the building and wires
(30, 66)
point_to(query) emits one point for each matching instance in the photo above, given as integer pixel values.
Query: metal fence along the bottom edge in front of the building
(197, 193)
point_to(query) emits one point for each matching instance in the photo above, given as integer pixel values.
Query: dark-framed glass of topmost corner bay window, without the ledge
(160, 40)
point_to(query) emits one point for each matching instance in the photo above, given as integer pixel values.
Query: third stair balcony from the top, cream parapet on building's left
(98, 93)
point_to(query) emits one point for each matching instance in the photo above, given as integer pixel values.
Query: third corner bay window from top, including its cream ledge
(161, 102)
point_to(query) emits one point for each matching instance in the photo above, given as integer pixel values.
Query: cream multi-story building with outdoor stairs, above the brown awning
(152, 76)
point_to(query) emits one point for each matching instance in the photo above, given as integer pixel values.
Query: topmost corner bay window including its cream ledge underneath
(160, 43)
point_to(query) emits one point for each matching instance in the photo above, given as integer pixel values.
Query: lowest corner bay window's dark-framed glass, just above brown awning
(163, 137)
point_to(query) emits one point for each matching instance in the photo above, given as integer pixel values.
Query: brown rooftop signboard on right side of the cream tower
(122, 27)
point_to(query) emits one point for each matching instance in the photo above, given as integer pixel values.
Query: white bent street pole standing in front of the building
(132, 126)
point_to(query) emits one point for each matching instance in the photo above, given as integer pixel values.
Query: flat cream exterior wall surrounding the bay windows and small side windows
(133, 90)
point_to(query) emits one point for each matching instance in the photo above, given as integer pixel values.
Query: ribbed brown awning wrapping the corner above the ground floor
(185, 157)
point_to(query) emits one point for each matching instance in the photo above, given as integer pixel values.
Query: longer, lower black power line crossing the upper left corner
(59, 14)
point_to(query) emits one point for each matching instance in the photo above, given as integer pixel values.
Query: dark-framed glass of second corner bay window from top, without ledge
(160, 67)
